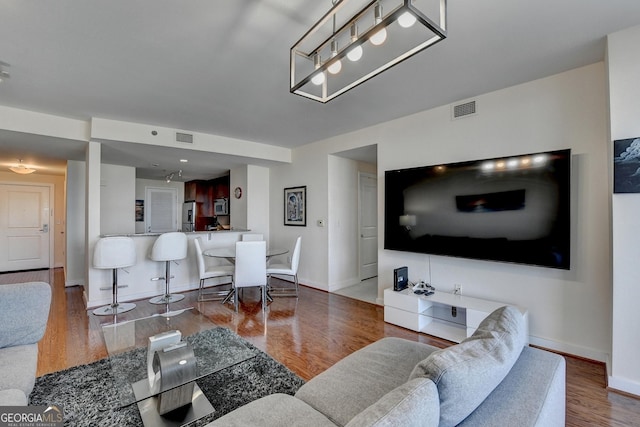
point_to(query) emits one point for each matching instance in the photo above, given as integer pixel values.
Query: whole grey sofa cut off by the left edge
(24, 311)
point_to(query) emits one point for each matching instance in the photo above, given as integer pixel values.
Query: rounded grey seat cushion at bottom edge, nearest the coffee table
(274, 410)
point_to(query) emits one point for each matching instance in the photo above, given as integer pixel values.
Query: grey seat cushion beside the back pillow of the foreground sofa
(362, 378)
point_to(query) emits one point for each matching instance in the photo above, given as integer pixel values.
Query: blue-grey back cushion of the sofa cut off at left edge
(24, 311)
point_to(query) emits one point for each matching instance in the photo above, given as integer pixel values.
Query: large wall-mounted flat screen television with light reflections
(513, 209)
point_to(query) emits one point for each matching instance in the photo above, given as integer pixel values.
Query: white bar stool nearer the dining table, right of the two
(168, 247)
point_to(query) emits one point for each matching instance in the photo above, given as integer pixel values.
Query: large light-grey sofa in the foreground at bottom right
(490, 379)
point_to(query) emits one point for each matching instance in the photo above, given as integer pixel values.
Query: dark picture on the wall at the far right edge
(626, 165)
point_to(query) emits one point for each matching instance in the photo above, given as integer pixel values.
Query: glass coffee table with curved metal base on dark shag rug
(172, 366)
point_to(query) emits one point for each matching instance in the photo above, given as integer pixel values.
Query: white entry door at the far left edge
(25, 233)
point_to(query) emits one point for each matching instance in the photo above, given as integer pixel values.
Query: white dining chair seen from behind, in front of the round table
(251, 269)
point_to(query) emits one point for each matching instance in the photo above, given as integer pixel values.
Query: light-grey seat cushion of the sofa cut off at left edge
(18, 367)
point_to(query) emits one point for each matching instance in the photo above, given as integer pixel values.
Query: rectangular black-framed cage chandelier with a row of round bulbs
(359, 39)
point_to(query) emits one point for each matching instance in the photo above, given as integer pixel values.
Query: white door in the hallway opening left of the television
(368, 226)
